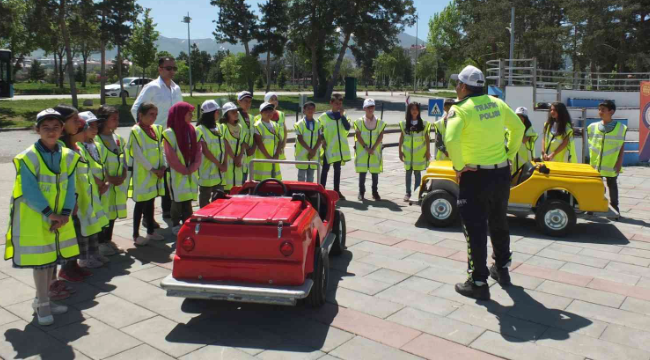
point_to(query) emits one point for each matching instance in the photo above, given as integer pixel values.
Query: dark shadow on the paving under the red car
(257, 327)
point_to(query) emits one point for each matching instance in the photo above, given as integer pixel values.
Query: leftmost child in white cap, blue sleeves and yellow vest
(40, 233)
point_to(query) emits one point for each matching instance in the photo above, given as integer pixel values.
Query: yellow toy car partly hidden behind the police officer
(555, 192)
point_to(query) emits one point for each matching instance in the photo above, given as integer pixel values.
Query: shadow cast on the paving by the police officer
(527, 308)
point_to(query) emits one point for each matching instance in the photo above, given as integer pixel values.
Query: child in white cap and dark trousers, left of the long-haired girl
(368, 136)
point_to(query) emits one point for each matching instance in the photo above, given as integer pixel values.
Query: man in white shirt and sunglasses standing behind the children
(163, 92)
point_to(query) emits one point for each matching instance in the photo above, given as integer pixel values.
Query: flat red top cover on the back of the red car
(251, 210)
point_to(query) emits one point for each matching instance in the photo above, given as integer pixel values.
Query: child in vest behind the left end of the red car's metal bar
(268, 141)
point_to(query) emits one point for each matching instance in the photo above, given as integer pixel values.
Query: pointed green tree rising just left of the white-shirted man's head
(141, 47)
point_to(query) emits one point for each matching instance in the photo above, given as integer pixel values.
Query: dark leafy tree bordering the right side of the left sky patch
(236, 23)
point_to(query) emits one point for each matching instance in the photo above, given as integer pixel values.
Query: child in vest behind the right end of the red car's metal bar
(309, 137)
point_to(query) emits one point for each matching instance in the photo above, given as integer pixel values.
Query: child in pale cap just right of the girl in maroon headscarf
(213, 145)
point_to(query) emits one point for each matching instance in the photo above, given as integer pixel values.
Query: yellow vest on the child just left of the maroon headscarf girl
(144, 184)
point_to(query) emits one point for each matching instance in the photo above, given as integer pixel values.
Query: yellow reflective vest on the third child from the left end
(90, 210)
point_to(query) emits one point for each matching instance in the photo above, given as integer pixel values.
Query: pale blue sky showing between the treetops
(168, 15)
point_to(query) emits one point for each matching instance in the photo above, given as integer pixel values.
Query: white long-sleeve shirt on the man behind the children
(161, 95)
